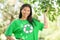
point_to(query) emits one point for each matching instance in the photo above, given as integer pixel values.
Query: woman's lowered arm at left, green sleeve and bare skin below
(9, 31)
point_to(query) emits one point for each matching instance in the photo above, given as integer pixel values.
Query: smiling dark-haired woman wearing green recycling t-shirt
(26, 27)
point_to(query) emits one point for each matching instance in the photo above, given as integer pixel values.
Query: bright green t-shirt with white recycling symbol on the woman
(24, 30)
